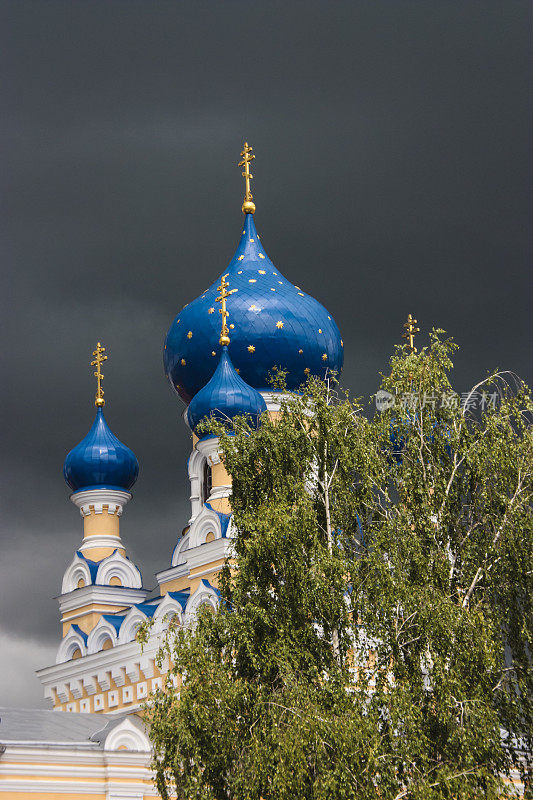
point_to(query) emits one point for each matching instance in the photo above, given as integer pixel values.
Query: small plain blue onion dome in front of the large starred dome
(225, 396)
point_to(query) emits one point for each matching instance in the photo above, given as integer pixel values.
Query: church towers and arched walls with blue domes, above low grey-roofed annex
(219, 353)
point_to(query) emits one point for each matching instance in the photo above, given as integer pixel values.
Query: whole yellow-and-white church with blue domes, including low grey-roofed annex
(218, 355)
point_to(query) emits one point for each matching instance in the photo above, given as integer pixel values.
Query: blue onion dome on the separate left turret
(100, 461)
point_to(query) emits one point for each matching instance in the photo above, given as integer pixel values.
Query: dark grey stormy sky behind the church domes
(393, 174)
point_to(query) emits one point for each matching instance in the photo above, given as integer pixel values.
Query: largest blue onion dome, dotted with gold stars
(272, 324)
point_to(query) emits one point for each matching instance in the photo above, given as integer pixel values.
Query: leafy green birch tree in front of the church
(376, 639)
